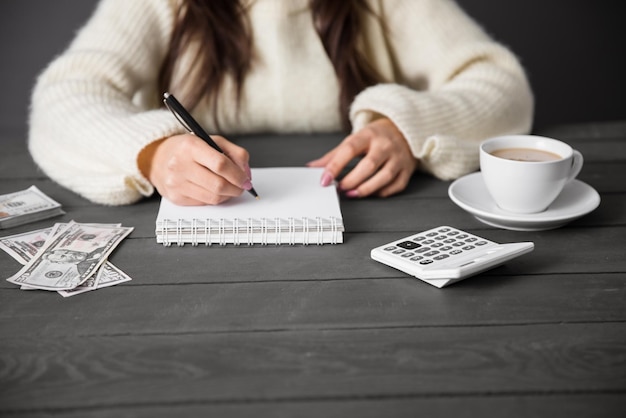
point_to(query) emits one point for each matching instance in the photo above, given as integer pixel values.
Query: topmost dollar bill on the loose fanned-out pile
(71, 256)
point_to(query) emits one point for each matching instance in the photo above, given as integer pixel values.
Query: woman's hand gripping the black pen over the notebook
(188, 171)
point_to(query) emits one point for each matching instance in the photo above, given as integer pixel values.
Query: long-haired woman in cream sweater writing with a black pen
(417, 84)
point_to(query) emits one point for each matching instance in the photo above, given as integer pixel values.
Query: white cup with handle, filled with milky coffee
(527, 185)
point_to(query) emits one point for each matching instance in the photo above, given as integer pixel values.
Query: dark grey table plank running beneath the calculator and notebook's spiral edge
(564, 251)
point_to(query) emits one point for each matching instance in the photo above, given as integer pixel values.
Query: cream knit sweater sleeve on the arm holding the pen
(96, 106)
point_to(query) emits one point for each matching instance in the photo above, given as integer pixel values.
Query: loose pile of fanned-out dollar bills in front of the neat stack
(69, 258)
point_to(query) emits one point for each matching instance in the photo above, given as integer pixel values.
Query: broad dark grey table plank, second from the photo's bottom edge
(189, 368)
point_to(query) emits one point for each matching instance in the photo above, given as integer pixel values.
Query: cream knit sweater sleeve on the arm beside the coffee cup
(454, 86)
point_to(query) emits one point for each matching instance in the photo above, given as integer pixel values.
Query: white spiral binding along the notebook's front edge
(250, 231)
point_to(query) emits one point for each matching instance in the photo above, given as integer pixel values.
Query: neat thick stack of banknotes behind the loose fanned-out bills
(25, 206)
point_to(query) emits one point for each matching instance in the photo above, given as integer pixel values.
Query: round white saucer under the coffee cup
(576, 199)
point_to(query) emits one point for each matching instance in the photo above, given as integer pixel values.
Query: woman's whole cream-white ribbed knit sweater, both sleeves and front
(447, 87)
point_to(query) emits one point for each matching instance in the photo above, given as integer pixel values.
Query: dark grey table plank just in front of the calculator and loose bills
(145, 307)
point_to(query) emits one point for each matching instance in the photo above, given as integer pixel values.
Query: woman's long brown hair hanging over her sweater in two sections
(223, 30)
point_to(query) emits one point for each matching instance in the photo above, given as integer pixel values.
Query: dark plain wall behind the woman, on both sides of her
(570, 48)
